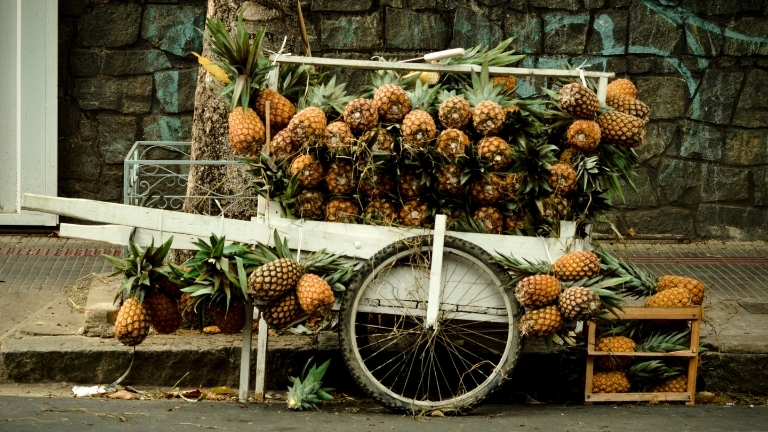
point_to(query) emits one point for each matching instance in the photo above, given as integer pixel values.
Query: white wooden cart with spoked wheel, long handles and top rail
(428, 322)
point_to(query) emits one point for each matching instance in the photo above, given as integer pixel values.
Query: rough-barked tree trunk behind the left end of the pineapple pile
(209, 130)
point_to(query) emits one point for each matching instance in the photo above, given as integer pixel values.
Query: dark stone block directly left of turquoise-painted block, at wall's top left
(111, 25)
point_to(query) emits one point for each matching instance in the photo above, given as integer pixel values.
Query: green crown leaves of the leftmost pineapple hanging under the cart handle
(141, 269)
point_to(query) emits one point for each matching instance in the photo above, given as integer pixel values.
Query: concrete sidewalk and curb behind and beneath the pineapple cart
(42, 335)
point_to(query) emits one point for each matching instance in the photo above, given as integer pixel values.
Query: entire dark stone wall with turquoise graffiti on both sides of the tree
(701, 66)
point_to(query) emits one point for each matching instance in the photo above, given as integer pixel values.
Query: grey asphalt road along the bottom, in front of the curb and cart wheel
(70, 414)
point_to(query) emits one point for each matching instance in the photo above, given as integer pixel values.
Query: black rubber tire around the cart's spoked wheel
(346, 322)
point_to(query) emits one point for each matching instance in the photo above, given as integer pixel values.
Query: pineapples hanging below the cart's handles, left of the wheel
(219, 280)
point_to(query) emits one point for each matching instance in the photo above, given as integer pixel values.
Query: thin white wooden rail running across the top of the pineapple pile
(427, 67)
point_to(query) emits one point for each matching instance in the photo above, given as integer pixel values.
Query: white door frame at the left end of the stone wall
(28, 107)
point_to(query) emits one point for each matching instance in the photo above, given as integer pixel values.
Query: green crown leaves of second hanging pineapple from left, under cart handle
(213, 273)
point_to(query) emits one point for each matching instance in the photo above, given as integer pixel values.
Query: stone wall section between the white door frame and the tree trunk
(125, 74)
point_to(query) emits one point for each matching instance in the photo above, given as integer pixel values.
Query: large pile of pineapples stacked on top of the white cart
(416, 145)
